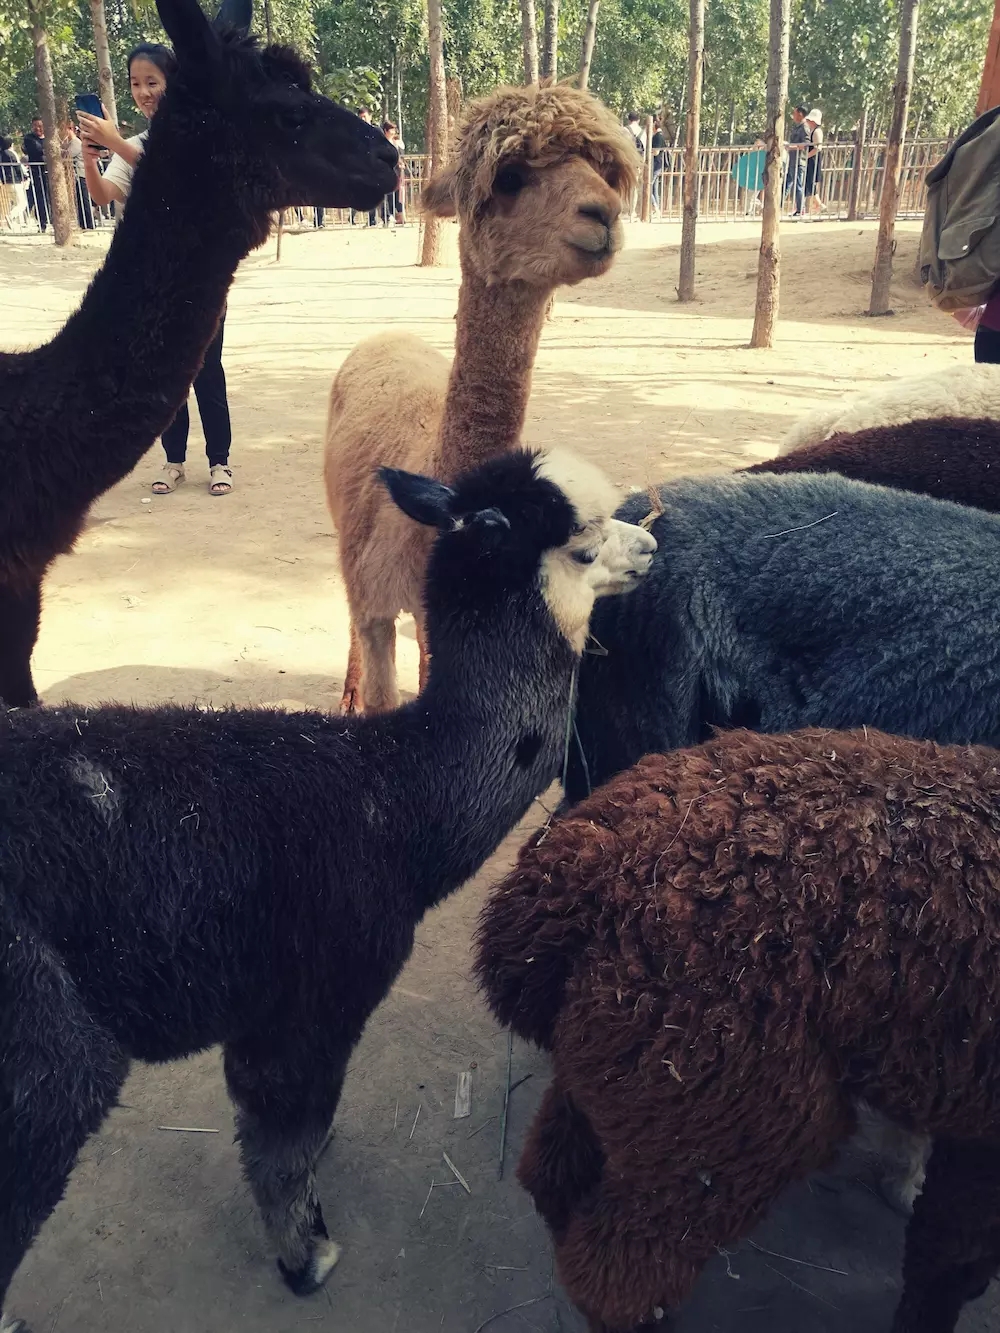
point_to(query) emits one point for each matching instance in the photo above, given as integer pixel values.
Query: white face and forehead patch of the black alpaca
(603, 557)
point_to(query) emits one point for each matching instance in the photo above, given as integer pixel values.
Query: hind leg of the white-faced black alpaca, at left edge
(59, 1075)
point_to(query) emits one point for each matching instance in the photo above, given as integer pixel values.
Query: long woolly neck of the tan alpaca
(497, 342)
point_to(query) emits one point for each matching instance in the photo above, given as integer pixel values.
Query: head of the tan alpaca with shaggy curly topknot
(538, 179)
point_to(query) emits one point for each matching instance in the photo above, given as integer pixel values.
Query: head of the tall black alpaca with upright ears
(257, 106)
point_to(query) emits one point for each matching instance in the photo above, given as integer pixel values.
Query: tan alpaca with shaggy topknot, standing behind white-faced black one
(537, 181)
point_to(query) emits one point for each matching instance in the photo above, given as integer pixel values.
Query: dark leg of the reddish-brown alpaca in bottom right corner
(954, 1236)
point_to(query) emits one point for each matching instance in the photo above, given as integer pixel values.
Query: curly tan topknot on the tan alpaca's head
(538, 127)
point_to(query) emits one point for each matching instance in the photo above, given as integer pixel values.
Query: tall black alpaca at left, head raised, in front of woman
(239, 134)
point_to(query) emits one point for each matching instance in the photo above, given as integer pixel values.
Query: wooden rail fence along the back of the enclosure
(726, 190)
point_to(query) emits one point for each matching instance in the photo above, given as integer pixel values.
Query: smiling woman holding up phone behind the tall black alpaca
(150, 69)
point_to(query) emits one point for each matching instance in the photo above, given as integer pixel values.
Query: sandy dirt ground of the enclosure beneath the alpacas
(238, 601)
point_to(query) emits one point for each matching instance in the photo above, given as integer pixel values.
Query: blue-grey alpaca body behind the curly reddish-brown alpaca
(786, 602)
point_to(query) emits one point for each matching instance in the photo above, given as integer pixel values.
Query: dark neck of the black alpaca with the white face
(482, 742)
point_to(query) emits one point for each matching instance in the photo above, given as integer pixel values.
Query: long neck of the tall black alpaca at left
(131, 351)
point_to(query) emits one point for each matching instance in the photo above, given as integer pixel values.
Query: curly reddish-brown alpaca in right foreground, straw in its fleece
(725, 950)
